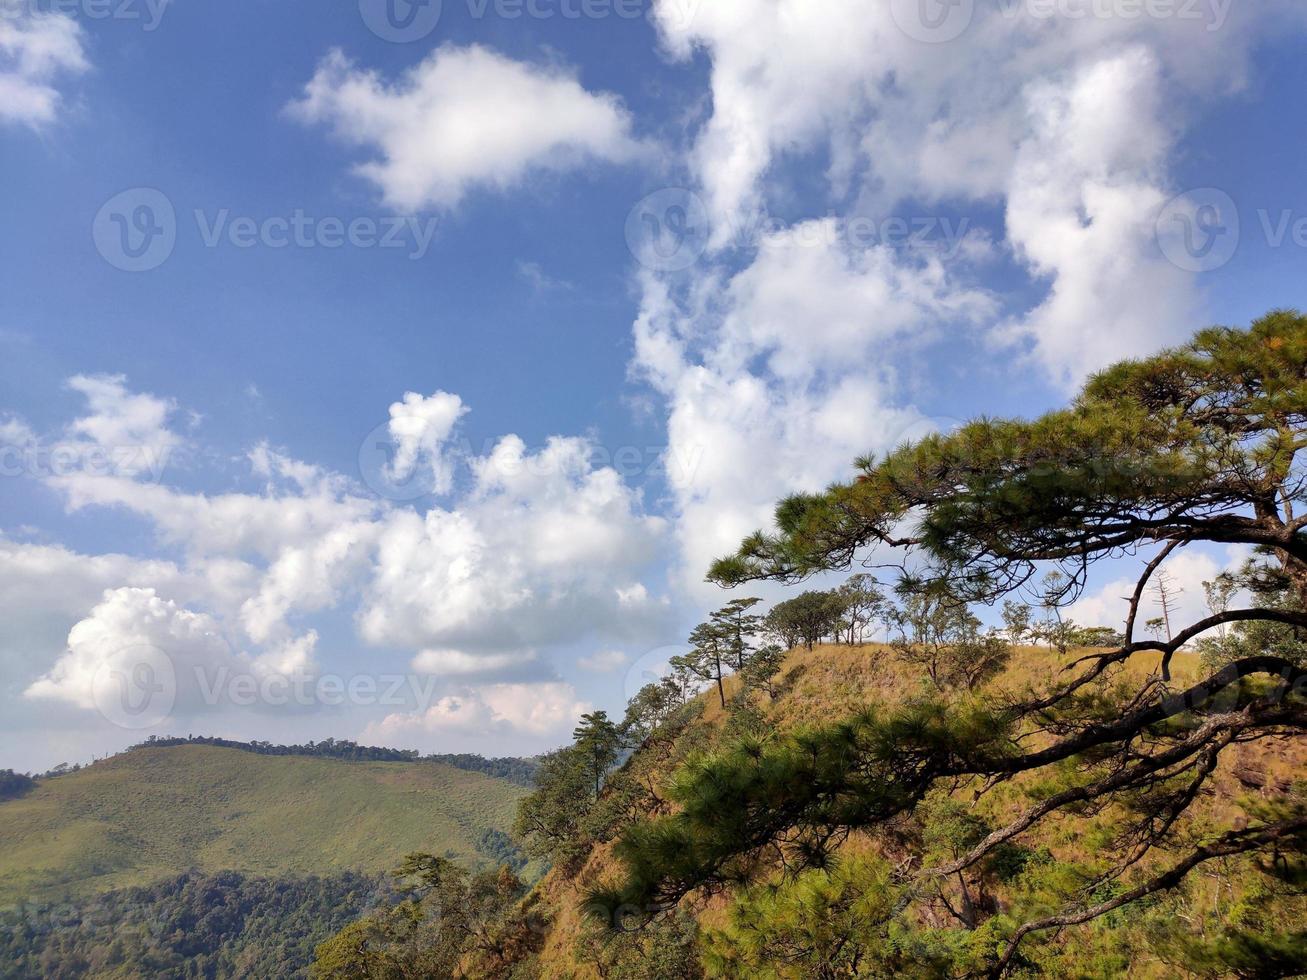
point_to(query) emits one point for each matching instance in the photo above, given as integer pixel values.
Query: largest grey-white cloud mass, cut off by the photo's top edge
(1070, 120)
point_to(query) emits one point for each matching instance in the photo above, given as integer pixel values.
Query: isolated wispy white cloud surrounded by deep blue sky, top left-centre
(466, 118)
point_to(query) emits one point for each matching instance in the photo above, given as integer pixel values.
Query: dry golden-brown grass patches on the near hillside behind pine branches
(824, 685)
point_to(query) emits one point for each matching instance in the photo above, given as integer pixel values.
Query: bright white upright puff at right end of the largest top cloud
(1085, 191)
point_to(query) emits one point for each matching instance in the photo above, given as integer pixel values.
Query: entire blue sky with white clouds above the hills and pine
(874, 221)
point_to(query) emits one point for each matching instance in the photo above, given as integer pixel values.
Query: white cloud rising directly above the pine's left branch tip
(764, 408)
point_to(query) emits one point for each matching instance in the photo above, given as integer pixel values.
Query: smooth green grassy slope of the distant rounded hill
(151, 813)
